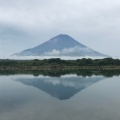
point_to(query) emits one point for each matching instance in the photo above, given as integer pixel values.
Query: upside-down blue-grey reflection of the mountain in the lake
(63, 87)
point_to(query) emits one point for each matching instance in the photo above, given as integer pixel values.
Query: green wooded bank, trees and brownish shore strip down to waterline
(58, 64)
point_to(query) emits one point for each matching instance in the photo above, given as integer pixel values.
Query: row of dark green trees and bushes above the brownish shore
(58, 61)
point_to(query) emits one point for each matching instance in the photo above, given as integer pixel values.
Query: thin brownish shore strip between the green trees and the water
(57, 67)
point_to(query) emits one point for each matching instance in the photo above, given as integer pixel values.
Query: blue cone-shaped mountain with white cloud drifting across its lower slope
(61, 45)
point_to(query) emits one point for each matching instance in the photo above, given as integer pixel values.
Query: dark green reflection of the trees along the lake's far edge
(58, 73)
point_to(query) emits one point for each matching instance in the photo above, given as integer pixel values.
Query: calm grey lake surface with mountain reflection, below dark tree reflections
(69, 97)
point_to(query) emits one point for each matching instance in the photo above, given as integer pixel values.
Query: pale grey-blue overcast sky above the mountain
(27, 23)
